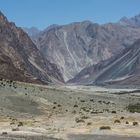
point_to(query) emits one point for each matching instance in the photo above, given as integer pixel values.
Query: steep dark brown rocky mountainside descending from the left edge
(19, 57)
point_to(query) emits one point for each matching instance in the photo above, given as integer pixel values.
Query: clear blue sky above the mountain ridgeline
(42, 13)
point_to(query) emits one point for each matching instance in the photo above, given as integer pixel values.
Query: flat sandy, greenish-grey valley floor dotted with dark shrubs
(34, 112)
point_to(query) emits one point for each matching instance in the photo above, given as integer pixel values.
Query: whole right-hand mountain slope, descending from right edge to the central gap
(122, 69)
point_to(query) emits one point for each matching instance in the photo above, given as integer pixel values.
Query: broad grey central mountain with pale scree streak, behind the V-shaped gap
(79, 45)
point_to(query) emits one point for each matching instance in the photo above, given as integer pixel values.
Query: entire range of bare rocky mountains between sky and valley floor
(77, 53)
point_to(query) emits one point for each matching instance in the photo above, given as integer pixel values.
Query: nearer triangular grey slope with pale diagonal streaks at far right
(125, 69)
